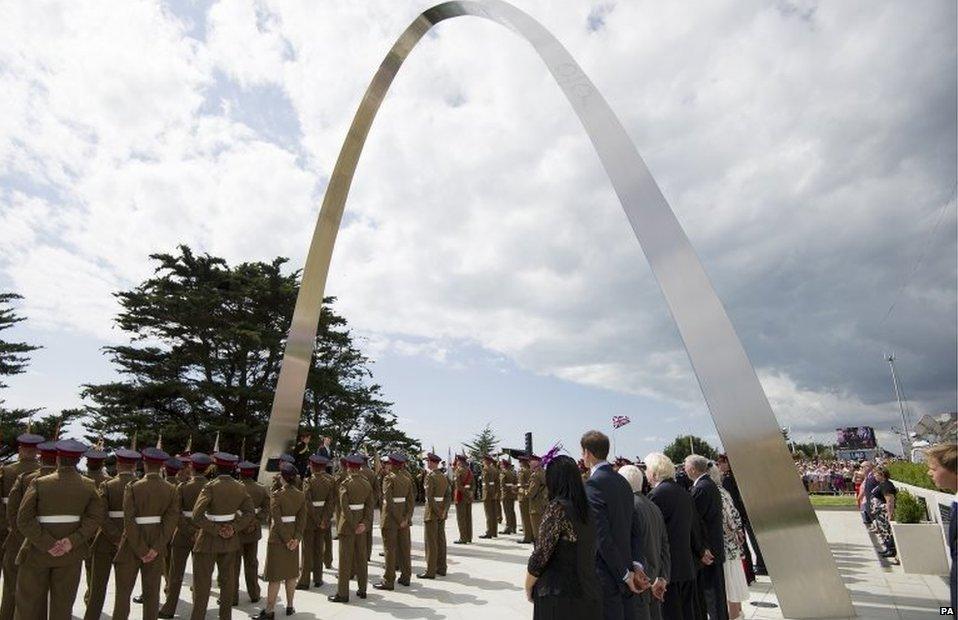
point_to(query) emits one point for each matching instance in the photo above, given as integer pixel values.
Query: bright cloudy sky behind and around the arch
(808, 149)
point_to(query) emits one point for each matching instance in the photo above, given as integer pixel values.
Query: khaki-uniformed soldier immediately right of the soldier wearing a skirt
(320, 505)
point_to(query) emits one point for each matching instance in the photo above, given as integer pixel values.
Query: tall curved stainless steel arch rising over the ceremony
(803, 571)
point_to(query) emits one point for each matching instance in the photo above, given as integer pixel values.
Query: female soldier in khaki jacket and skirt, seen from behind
(287, 511)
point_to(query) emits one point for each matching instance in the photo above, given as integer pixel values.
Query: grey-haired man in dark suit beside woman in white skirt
(708, 504)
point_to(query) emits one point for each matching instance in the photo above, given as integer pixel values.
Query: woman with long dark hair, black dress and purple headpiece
(561, 582)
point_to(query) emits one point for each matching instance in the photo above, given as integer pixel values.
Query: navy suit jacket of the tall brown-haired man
(618, 537)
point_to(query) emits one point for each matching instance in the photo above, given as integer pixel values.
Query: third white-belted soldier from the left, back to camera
(151, 511)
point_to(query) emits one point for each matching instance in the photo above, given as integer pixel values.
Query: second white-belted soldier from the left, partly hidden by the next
(106, 541)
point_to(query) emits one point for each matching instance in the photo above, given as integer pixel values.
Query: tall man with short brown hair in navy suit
(619, 561)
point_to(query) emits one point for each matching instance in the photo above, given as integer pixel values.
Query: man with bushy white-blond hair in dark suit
(678, 511)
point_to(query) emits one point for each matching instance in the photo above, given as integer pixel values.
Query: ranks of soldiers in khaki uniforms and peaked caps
(55, 520)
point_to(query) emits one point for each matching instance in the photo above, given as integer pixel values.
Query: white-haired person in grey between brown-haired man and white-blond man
(655, 545)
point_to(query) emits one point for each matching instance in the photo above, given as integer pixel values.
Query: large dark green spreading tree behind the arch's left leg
(206, 342)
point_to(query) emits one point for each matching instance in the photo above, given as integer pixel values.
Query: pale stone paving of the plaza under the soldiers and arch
(485, 582)
